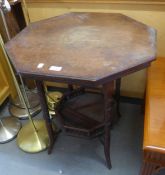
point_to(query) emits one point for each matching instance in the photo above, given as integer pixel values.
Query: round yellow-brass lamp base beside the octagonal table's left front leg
(30, 141)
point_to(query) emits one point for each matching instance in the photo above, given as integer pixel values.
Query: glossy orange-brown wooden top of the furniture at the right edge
(154, 128)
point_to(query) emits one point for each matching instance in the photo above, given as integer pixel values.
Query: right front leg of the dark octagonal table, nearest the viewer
(108, 90)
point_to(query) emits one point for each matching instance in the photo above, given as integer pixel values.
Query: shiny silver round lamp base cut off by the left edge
(9, 128)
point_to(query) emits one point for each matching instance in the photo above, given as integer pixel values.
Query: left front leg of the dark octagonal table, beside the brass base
(46, 116)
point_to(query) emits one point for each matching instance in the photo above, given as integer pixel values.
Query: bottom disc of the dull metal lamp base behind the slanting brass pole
(21, 113)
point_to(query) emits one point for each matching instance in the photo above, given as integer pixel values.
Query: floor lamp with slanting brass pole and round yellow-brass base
(33, 136)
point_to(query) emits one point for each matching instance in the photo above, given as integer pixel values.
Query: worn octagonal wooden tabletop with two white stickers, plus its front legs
(87, 49)
